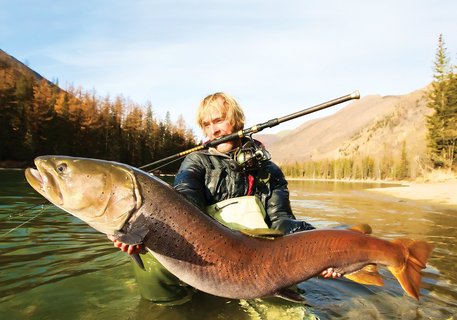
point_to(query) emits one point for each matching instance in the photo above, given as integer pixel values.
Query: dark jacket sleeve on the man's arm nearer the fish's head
(190, 180)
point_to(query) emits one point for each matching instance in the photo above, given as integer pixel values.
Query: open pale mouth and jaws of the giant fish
(44, 182)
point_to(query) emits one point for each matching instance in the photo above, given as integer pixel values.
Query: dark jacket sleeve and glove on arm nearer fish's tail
(278, 206)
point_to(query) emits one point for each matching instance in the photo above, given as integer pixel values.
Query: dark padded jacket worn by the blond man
(205, 178)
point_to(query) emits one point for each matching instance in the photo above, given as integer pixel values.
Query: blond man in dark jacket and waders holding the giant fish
(239, 169)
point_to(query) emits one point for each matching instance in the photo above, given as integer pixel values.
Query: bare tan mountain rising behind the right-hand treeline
(375, 125)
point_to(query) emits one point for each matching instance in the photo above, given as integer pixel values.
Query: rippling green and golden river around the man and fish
(53, 266)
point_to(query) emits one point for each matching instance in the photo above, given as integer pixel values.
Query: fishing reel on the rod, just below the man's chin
(249, 157)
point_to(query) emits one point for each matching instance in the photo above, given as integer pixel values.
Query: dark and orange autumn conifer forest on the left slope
(39, 118)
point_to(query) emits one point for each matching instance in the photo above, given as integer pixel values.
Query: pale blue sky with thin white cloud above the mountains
(274, 57)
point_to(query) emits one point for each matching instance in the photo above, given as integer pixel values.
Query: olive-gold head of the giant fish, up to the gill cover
(103, 194)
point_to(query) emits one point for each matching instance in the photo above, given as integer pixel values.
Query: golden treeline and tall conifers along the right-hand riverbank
(441, 139)
